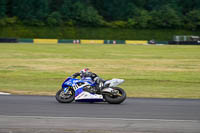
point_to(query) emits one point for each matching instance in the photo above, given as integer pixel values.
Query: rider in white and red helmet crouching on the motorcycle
(86, 74)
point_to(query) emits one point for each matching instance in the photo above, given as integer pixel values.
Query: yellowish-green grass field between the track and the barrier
(149, 71)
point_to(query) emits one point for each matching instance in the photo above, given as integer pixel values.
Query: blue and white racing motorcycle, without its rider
(85, 91)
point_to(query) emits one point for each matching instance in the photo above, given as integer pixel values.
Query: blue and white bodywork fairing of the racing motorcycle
(80, 94)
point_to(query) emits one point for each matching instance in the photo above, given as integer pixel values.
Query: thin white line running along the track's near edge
(93, 118)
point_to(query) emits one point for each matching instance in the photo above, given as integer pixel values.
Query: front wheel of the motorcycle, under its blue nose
(61, 97)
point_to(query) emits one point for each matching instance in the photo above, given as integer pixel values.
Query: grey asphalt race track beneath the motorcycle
(22, 114)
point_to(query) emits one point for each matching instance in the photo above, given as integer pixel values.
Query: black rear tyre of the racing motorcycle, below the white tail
(116, 99)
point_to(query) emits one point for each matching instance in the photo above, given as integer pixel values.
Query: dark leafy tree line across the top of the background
(141, 14)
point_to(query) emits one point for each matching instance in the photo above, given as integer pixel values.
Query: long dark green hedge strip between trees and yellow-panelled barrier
(104, 33)
